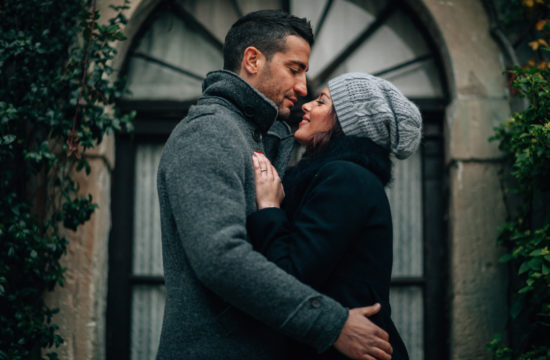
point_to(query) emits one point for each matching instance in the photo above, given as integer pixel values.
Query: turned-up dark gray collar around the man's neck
(252, 104)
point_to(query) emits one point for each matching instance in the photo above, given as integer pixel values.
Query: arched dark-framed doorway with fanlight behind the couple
(179, 43)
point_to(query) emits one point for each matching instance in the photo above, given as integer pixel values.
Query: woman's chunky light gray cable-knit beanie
(371, 107)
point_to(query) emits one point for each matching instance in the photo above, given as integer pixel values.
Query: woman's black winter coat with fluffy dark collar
(334, 231)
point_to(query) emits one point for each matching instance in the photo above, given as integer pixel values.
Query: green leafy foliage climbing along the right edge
(525, 140)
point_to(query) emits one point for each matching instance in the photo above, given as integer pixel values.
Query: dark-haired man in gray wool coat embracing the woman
(223, 298)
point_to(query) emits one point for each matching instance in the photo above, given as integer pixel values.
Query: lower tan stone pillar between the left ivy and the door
(82, 299)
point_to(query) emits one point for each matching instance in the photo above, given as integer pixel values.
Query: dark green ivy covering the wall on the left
(55, 103)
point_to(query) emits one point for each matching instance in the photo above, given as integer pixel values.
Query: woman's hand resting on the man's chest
(269, 189)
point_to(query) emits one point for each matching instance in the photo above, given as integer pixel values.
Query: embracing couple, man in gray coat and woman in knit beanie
(258, 270)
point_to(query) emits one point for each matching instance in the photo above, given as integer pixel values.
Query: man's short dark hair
(266, 30)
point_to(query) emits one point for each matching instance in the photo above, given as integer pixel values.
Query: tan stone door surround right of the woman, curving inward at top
(476, 210)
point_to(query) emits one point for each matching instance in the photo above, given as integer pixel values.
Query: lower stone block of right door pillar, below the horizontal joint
(478, 281)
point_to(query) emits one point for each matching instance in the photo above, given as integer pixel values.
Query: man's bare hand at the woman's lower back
(361, 339)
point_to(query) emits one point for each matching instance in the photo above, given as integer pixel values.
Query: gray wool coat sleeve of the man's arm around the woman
(205, 180)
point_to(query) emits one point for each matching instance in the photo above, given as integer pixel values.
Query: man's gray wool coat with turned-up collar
(225, 300)
